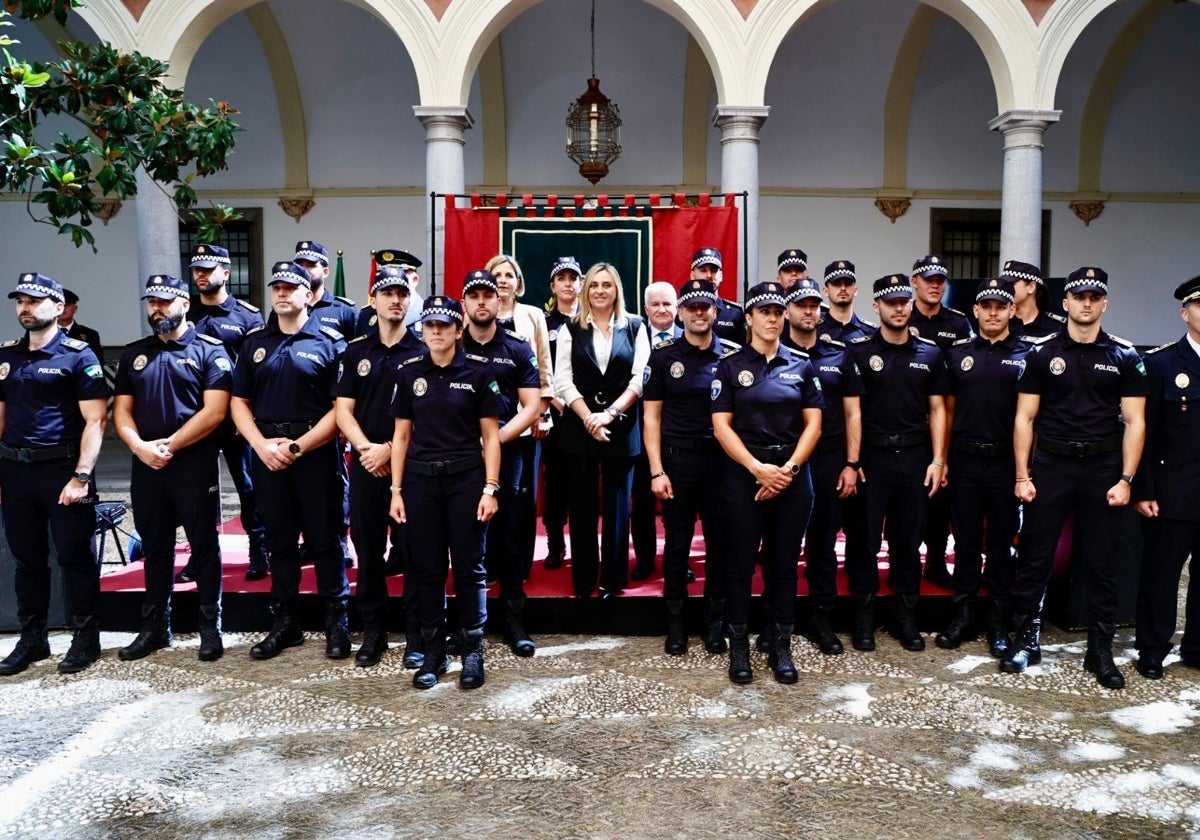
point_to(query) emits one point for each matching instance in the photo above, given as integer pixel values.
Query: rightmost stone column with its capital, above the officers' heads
(1021, 226)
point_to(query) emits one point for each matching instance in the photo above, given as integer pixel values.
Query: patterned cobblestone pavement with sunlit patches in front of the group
(598, 737)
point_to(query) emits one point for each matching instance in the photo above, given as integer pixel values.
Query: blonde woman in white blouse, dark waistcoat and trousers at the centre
(598, 375)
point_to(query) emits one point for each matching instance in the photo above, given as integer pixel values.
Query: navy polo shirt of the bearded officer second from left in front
(167, 380)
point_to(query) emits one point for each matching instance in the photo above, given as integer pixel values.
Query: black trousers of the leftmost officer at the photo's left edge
(29, 501)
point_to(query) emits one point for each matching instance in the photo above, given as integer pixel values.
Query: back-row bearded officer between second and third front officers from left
(218, 314)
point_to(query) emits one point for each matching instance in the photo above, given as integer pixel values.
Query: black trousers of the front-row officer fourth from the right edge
(896, 495)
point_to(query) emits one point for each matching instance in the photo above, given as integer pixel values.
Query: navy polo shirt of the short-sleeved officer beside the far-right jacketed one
(1082, 386)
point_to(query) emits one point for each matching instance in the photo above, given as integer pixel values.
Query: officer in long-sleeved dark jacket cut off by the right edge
(1167, 489)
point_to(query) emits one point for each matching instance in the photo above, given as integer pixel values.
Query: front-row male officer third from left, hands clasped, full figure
(284, 406)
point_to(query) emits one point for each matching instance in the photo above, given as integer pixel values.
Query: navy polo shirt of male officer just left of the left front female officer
(368, 375)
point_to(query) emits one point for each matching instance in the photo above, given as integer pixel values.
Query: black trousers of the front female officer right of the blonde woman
(778, 526)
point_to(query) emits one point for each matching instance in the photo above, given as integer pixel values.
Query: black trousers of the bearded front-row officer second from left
(182, 494)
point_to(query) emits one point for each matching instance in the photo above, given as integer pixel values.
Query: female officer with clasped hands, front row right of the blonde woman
(766, 404)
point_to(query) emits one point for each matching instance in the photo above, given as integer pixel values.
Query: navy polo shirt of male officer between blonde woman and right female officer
(681, 375)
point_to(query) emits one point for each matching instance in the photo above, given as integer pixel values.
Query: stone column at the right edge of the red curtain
(740, 171)
